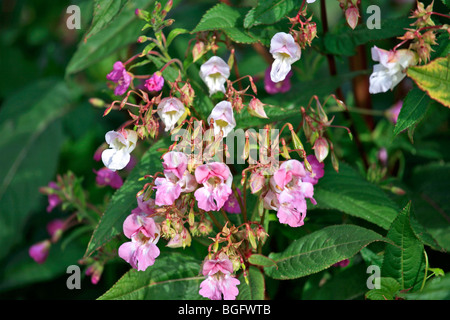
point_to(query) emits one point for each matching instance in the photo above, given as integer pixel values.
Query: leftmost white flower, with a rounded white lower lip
(121, 144)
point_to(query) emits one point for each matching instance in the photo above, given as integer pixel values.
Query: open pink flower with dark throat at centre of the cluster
(216, 179)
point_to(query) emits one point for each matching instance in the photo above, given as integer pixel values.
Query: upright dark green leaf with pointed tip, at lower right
(404, 259)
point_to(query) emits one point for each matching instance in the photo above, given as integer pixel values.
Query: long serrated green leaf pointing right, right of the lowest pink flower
(319, 250)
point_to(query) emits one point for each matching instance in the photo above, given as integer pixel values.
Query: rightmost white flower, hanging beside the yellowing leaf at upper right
(391, 69)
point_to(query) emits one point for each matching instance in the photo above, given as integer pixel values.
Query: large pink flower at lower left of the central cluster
(144, 233)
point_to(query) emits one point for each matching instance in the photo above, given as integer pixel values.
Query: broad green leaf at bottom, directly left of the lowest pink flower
(172, 277)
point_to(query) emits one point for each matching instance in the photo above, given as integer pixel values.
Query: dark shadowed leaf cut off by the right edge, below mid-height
(430, 185)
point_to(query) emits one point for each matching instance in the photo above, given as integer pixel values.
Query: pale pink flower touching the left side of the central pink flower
(177, 179)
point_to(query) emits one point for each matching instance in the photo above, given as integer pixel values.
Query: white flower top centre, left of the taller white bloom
(215, 73)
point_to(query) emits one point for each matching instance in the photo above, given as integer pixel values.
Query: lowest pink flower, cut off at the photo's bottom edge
(220, 283)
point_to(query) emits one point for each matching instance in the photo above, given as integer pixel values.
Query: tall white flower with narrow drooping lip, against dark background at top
(285, 51)
